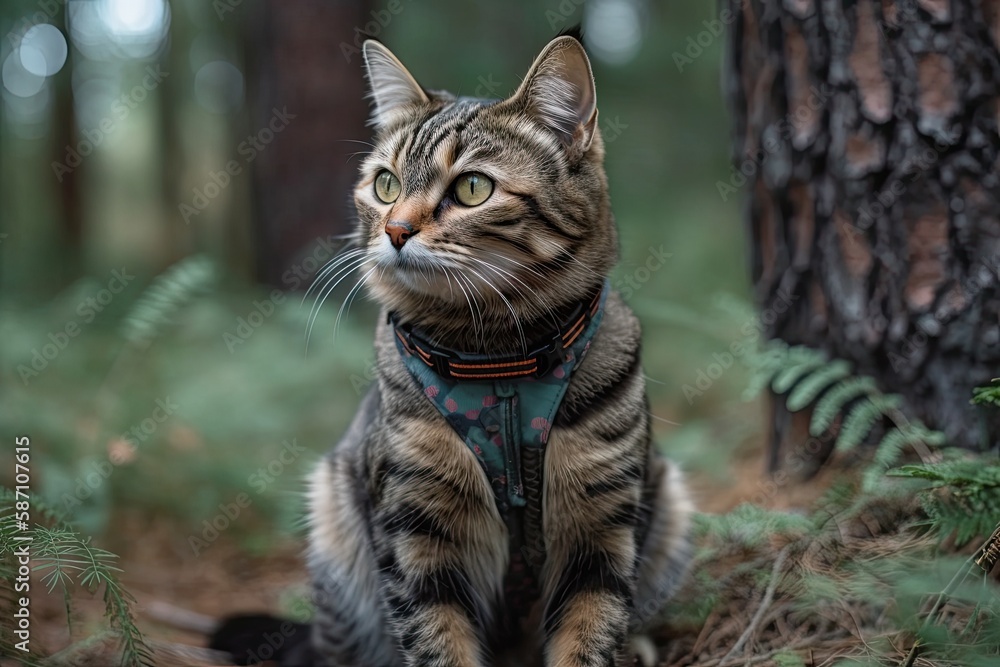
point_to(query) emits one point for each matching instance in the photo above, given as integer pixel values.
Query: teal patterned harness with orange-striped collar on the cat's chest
(503, 408)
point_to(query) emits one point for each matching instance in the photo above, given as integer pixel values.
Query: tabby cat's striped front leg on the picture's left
(441, 555)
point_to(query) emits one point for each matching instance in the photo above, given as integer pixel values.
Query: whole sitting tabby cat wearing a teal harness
(497, 499)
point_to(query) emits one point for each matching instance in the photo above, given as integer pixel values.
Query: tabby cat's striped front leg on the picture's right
(591, 513)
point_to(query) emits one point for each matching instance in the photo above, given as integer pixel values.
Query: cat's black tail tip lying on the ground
(251, 639)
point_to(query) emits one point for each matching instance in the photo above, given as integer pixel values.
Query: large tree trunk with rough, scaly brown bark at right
(867, 133)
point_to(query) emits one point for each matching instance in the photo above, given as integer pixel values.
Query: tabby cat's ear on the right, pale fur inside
(559, 91)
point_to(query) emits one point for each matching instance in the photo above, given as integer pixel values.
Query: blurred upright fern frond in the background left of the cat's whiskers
(165, 296)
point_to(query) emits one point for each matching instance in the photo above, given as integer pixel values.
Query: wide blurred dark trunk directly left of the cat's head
(310, 69)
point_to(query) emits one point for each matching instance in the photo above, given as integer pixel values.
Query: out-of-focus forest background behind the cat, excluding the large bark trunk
(211, 143)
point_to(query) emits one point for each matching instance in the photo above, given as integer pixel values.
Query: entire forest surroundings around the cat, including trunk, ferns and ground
(174, 174)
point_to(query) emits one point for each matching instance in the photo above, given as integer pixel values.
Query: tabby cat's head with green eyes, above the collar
(474, 209)
